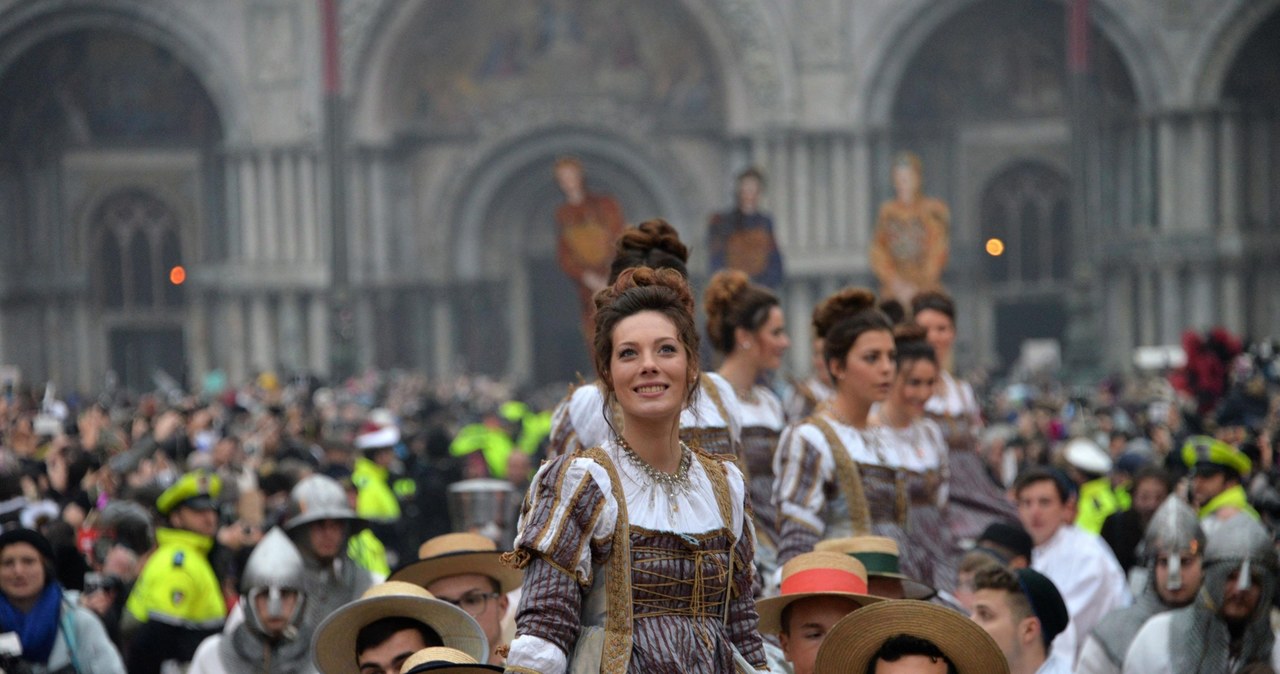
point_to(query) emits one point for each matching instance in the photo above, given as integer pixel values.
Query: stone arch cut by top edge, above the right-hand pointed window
(912, 24)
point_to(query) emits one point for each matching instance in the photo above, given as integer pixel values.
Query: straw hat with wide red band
(815, 575)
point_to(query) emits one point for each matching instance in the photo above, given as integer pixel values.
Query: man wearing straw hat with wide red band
(819, 589)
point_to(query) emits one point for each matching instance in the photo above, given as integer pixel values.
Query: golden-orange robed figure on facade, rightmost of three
(909, 250)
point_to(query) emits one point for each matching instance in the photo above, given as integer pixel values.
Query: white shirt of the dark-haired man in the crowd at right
(1089, 577)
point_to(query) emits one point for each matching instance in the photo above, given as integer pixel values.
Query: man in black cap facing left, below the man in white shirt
(1023, 612)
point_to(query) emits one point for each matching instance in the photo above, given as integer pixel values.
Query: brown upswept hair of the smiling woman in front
(646, 290)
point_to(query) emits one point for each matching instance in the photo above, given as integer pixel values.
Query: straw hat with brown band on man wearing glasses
(455, 554)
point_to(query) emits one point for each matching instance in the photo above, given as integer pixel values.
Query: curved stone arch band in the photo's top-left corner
(33, 24)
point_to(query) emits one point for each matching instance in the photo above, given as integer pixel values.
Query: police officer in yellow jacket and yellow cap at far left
(177, 600)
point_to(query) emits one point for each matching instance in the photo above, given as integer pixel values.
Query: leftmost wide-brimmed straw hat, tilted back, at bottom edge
(335, 643)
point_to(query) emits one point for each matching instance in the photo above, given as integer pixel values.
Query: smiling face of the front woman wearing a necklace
(650, 366)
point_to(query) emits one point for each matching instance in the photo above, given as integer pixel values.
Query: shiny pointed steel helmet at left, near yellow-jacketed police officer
(273, 568)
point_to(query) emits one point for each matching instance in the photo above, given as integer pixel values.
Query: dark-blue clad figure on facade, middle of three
(743, 239)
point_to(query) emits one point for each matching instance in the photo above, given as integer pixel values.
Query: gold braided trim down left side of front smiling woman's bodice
(618, 592)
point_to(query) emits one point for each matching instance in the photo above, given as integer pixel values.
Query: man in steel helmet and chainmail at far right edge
(1227, 627)
